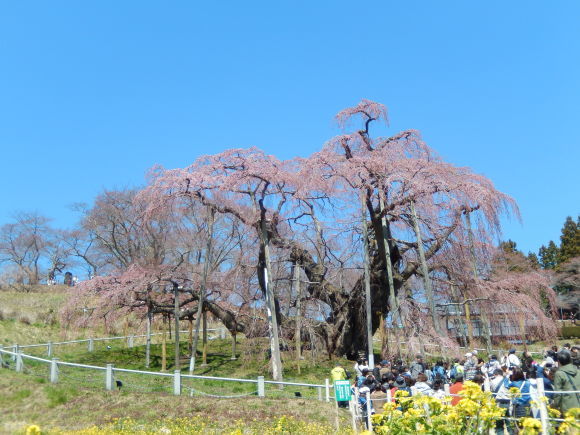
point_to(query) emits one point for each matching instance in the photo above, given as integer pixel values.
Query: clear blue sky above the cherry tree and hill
(93, 93)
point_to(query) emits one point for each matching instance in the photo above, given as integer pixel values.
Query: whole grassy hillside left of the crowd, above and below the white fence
(79, 400)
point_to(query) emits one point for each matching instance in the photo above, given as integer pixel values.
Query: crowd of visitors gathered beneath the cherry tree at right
(556, 370)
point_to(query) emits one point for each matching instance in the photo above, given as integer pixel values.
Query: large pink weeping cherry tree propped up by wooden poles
(431, 230)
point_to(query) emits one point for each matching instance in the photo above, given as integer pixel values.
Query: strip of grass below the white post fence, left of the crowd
(25, 401)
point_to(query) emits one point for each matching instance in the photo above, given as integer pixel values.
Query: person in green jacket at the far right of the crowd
(567, 378)
